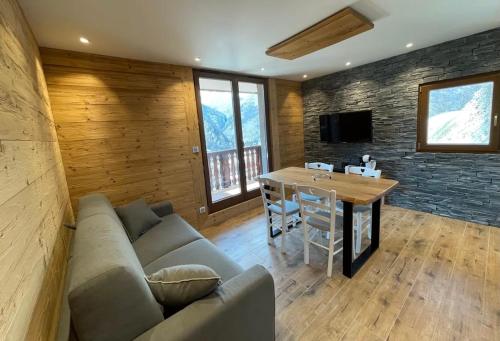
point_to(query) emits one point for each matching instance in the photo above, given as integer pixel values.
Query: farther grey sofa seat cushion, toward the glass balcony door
(172, 233)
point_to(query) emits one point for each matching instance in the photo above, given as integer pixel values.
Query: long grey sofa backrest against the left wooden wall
(108, 296)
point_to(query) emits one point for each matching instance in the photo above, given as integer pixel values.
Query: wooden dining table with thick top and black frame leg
(351, 190)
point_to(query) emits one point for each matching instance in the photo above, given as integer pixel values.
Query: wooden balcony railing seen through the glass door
(223, 168)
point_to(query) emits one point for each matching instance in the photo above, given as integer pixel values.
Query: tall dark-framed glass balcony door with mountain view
(233, 123)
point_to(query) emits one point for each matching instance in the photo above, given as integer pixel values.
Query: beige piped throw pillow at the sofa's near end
(181, 285)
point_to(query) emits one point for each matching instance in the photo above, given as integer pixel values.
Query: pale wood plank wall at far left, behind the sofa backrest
(34, 199)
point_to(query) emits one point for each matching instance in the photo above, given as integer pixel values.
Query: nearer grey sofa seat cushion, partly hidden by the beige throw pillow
(198, 252)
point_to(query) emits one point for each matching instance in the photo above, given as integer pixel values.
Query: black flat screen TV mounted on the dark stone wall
(346, 127)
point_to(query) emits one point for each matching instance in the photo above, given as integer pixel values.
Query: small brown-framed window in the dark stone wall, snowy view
(459, 115)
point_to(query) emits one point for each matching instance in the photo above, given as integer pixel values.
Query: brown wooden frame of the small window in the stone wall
(423, 115)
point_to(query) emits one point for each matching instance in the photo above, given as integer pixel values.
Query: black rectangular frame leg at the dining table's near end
(350, 266)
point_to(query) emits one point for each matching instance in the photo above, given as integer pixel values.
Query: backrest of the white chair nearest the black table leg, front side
(323, 210)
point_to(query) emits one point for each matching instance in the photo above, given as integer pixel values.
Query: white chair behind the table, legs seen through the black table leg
(362, 213)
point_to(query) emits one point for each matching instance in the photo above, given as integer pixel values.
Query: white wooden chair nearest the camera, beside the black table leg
(319, 215)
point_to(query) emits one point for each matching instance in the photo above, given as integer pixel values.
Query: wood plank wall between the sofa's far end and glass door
(126, 128)
